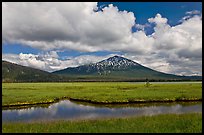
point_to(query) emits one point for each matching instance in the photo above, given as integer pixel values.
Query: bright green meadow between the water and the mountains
(32, 93)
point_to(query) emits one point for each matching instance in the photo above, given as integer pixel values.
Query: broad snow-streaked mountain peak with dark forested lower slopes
(118, 68)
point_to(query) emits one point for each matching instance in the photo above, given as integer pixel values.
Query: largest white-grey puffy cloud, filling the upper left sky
(75, 26)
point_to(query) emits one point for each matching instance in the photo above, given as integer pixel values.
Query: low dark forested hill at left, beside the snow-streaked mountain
(16, 73)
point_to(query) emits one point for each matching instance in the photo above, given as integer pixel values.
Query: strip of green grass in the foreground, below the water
(168, 123)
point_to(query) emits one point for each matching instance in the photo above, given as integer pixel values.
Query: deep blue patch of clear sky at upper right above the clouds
(174, 11)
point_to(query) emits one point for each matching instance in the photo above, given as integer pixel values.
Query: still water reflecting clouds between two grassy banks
(67, 110)
